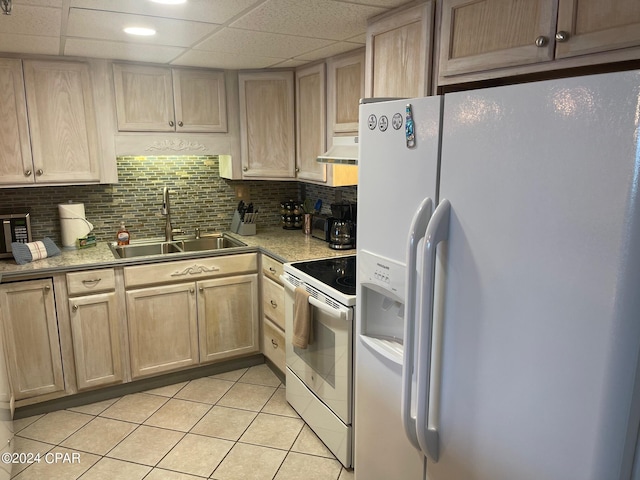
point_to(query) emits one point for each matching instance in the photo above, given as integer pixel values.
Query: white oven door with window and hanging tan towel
(325, 366)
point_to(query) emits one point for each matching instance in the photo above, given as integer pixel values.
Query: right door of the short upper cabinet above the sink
(200, 101)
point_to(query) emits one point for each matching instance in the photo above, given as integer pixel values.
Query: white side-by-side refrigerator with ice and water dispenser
(498, 327)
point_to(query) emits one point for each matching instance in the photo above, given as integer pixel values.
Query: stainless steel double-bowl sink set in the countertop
(144, 248)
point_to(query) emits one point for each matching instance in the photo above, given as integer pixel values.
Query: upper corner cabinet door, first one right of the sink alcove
(267, 125)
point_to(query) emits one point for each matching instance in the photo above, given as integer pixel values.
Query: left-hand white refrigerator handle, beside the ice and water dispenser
(416, 233)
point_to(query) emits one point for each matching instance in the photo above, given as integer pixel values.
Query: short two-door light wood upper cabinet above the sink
(158, 99)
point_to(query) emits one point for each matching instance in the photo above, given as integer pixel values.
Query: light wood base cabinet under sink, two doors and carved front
(191, 312)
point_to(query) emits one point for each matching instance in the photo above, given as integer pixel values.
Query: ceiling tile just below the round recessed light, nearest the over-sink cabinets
(121, 51)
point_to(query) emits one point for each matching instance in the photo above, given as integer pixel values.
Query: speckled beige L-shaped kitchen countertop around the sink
(283, 245)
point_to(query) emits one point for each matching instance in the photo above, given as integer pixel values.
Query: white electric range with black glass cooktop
(320, 377)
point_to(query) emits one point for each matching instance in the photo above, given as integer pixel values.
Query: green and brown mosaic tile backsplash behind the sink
(201, 199)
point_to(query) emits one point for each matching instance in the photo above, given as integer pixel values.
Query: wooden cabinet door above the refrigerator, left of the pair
(484, 34)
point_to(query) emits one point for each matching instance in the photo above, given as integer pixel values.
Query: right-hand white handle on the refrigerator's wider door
(437, 231)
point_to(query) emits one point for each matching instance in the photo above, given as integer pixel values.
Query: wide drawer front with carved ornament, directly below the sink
(189, 270)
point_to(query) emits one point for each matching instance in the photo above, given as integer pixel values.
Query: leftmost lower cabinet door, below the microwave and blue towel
(33, 344)
